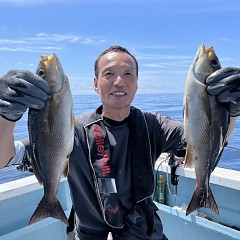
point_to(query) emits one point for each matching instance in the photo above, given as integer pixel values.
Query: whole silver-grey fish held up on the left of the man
(51, 134)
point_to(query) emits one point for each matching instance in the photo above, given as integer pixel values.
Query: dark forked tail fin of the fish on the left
(48, 209)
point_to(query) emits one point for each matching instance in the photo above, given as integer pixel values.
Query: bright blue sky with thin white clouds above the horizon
(164, 35)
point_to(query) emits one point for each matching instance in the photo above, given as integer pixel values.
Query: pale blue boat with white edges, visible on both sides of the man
(19, 198)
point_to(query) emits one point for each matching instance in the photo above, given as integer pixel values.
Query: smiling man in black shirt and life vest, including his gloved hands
(112, 163)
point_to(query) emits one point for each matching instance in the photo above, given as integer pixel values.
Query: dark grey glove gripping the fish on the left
(20, 90)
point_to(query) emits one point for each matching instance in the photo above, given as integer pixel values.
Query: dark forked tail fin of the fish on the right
(202, 199)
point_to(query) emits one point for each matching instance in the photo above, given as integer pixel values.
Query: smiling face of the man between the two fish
(117, 80)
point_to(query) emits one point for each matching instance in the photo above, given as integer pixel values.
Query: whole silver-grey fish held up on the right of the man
(205, 127)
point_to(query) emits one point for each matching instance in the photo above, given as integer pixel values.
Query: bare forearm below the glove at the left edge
(7, 150)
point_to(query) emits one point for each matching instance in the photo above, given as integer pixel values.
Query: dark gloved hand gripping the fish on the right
(225, 84)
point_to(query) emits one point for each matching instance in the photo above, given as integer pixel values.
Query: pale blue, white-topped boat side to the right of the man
(225, 185)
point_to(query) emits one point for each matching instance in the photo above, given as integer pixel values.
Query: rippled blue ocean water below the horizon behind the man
(166, 104)
